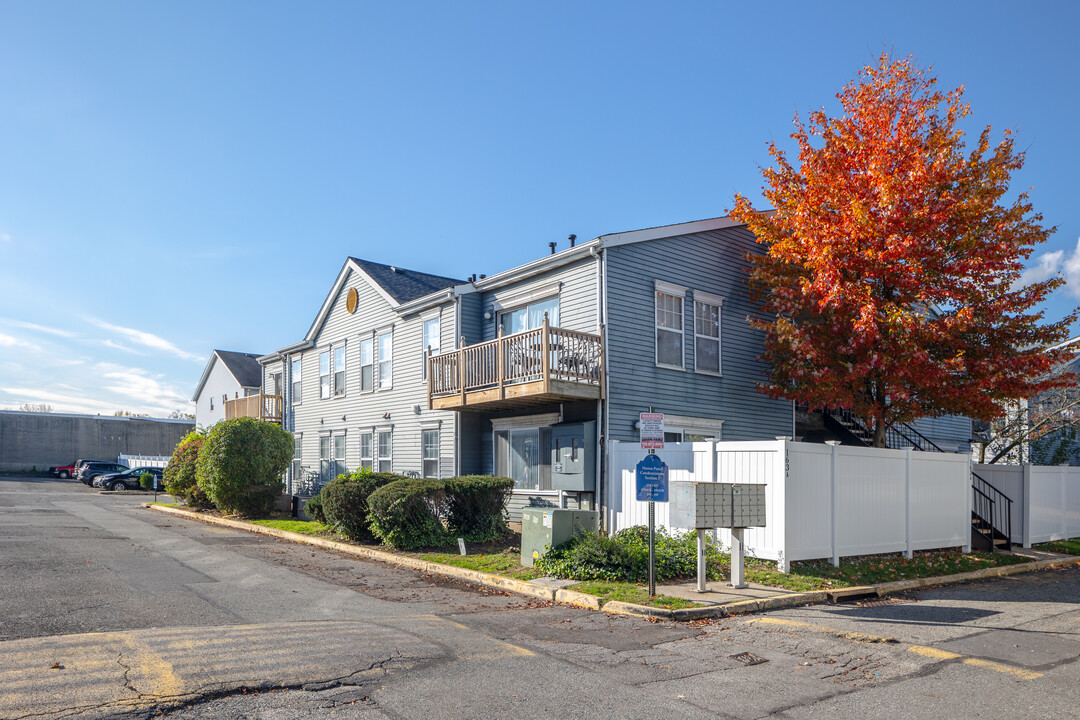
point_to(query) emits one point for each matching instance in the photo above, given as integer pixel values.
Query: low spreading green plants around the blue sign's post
(626, 556)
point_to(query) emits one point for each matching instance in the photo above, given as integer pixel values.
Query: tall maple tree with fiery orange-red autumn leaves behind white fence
(894, 261)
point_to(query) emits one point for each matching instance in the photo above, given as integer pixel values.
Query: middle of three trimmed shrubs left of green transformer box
(406, 514)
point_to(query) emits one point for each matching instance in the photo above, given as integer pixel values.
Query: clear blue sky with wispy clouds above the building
(183, 176)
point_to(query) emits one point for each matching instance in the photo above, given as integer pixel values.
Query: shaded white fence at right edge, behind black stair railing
(1046, 500)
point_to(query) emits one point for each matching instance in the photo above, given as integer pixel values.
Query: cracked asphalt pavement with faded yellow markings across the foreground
(113, 612)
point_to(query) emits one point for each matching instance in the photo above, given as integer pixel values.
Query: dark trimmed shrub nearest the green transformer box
(477, 507)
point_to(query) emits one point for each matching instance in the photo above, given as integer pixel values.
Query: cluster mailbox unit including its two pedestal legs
(708, 506)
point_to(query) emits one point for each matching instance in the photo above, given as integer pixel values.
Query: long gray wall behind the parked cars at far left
(43, 440)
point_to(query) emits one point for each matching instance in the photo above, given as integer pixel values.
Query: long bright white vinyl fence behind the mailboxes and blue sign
(822, 501)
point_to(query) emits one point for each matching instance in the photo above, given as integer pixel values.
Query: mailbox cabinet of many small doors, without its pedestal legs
(705, 506)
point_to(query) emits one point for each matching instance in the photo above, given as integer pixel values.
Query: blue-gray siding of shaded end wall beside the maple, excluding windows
(713, 263)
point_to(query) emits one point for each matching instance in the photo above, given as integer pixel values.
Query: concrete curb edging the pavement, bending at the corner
(616, 607)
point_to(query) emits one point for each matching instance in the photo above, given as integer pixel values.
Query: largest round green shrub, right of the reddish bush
(241, 464)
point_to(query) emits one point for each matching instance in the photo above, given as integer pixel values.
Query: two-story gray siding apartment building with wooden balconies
(431, 376)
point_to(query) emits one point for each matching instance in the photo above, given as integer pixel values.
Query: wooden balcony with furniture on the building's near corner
(530, 369)
